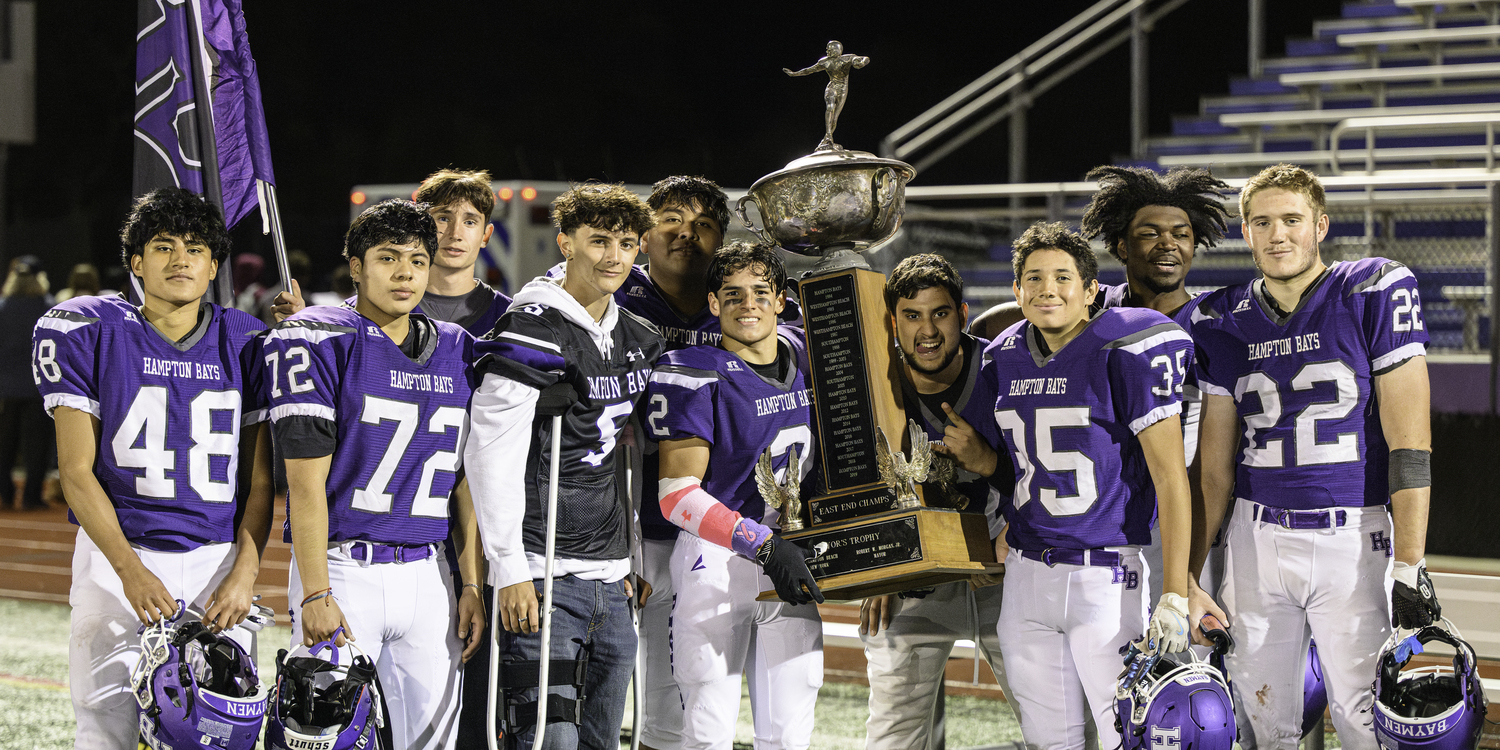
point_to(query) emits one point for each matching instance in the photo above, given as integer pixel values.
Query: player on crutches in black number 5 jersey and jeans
(566, 329)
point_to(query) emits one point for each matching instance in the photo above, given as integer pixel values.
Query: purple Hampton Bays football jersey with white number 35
(1072, 421)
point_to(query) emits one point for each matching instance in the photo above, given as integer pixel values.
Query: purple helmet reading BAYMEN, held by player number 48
(196, 689)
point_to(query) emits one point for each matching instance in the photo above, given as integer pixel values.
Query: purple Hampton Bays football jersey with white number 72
(401, 424)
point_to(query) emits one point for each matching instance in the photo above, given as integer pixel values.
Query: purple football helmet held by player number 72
(320, 704)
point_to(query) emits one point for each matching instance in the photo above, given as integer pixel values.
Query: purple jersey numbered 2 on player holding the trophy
(706, 392)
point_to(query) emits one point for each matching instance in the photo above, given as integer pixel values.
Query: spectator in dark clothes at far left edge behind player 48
(25, 427)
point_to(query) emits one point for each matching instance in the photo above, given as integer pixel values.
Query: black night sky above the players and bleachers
(388, 92)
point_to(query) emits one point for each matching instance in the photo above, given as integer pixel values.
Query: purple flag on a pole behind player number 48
(199, 118)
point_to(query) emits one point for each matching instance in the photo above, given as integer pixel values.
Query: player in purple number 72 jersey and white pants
(370, 406)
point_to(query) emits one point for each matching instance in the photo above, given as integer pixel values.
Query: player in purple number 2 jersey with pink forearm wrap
(716, 412)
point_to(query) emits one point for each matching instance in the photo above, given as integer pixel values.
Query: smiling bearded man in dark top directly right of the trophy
(908, 637)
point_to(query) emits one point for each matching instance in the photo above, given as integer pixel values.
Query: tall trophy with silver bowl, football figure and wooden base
(881, 538)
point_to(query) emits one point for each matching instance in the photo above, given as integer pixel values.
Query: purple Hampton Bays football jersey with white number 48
(170, 413)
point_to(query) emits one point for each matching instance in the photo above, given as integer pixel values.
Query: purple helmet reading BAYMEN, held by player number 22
(1432, 707)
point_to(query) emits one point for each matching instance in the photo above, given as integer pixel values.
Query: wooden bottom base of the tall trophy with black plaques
(896, 551)
